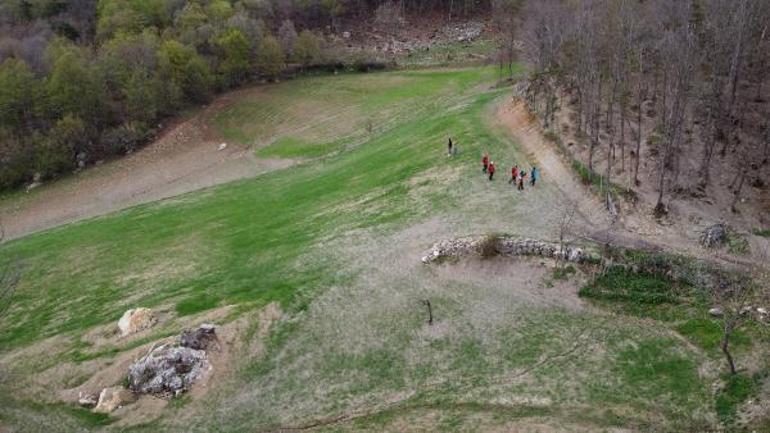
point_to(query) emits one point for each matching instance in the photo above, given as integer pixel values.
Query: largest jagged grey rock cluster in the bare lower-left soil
(167, 371)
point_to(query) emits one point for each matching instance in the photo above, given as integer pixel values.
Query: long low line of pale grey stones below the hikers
(505, 246)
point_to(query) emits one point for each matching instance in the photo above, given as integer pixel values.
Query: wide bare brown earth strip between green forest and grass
(185, 158)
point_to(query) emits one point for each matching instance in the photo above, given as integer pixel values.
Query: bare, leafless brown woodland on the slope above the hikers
(685, 78)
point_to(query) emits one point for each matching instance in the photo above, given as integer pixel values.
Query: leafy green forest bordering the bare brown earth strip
(83, 80)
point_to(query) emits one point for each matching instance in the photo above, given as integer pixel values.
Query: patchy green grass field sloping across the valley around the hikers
(336, 241)
